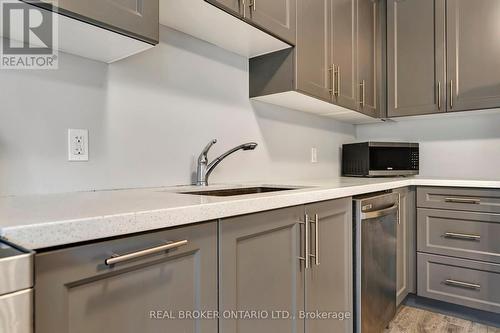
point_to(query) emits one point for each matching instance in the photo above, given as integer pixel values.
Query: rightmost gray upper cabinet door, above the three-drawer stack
(473, 53)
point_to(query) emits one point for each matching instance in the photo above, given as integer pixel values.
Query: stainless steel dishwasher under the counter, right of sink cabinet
(375, 222)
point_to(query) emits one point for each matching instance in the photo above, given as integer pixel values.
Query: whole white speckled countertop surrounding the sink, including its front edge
(41, 221)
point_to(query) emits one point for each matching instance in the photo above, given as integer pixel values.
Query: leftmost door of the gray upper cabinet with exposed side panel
(313, 50)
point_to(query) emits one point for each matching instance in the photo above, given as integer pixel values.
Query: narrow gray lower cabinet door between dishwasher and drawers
(406, 244)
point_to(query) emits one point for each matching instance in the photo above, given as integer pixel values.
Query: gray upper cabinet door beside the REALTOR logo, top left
(136, 18)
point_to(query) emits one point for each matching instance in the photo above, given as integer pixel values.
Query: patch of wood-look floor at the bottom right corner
(413, 320)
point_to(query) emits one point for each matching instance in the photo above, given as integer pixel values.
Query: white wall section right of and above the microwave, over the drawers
(462, 145)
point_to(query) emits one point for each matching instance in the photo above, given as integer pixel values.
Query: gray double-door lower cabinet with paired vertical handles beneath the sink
(263, 268)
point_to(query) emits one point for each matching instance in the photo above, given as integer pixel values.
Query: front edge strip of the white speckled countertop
(50, 234)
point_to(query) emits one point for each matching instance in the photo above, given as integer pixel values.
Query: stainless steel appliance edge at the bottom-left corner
(16, 293)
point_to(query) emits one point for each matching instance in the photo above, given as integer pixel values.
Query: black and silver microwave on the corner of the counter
(380, 159)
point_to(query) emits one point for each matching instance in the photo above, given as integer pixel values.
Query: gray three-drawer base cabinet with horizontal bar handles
(458, 249)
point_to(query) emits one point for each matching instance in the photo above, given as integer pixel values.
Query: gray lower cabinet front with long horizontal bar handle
(75, 291)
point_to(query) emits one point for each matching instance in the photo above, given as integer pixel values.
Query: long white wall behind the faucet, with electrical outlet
(148, 118)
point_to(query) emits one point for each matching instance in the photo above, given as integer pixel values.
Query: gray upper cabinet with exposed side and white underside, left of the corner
(338, 61)
